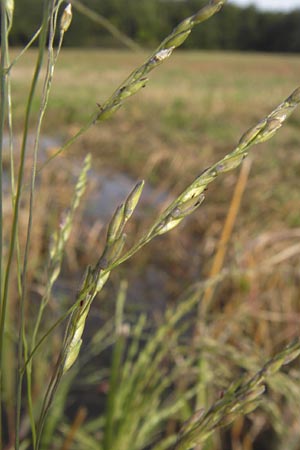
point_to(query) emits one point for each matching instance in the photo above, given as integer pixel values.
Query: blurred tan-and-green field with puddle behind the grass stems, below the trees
(193, 111)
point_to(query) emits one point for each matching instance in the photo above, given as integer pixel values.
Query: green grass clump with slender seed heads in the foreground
(159, 382)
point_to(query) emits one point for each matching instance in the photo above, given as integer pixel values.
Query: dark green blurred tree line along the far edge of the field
(149, 21)
